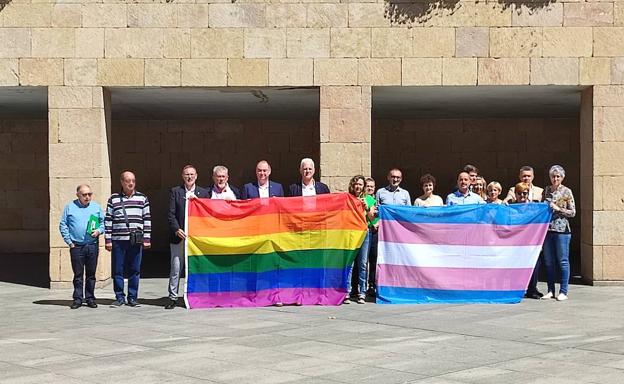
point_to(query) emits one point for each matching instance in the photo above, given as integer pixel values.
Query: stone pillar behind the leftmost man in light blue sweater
(79, 139)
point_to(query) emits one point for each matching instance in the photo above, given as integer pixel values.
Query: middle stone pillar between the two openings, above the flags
(345, 132)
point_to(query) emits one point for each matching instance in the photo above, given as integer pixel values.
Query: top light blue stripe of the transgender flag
(497, 214)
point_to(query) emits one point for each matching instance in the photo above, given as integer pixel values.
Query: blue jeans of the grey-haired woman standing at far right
(557, 249)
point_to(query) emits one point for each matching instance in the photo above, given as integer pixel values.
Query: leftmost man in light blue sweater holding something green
(81, 224)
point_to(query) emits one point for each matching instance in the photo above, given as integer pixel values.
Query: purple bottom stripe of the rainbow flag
(264, 298)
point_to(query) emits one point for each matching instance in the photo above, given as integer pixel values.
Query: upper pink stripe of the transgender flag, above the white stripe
(462, 234)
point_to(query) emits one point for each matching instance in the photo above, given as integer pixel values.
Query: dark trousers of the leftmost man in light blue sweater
(84, 262)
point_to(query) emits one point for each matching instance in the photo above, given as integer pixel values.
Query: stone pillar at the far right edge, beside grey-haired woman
(602, 180)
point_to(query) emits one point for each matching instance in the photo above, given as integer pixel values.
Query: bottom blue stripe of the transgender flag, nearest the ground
(399, 295)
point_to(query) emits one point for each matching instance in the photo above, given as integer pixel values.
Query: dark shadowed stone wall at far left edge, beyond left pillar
(24, 198)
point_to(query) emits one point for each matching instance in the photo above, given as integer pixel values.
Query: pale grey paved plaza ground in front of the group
(43, 341)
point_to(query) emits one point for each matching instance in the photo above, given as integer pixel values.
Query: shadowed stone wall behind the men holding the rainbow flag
(157, 151)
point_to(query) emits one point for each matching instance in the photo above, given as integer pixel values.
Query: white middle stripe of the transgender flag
(458, 256)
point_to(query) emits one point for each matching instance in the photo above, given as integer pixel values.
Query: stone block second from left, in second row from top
(53, 42)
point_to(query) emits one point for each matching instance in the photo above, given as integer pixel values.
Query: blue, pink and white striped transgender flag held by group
(458, 254)
